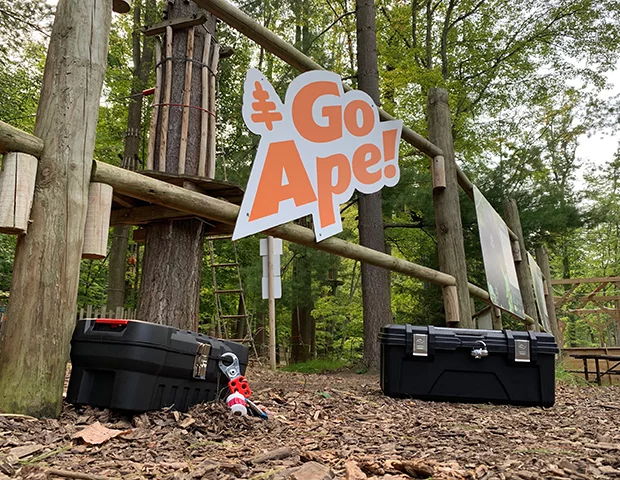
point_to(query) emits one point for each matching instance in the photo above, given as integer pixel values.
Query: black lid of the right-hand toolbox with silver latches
(424, 340)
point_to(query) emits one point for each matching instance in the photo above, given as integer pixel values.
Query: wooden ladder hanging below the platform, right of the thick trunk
(222, 317)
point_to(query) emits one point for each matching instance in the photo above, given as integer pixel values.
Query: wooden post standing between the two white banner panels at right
(524, 275)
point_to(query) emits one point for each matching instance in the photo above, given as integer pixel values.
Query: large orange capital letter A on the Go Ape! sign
(282, 157)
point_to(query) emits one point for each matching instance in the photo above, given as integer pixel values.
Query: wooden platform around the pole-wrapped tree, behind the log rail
(131, 211)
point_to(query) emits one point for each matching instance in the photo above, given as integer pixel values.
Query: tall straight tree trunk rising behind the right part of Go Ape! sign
(375, 281)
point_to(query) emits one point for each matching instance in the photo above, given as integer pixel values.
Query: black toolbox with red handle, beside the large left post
(139, 366)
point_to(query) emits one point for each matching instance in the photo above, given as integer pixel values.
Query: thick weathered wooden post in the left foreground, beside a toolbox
(41, 313)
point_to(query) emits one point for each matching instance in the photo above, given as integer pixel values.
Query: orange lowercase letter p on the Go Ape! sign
(326, 189)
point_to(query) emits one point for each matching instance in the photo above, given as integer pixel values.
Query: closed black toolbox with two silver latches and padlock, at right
(459, 365)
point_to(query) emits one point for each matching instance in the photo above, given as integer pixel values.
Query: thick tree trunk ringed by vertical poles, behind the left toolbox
(171, 272)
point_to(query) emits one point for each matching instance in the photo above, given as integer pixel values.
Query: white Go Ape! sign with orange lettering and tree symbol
(316, 148)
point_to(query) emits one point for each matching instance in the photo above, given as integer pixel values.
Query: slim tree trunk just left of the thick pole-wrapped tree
(142, 60)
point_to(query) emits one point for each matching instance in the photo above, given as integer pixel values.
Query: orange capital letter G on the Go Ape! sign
(302, 113)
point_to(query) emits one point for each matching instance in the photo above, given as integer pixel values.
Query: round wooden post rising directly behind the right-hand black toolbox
(448, 209)
